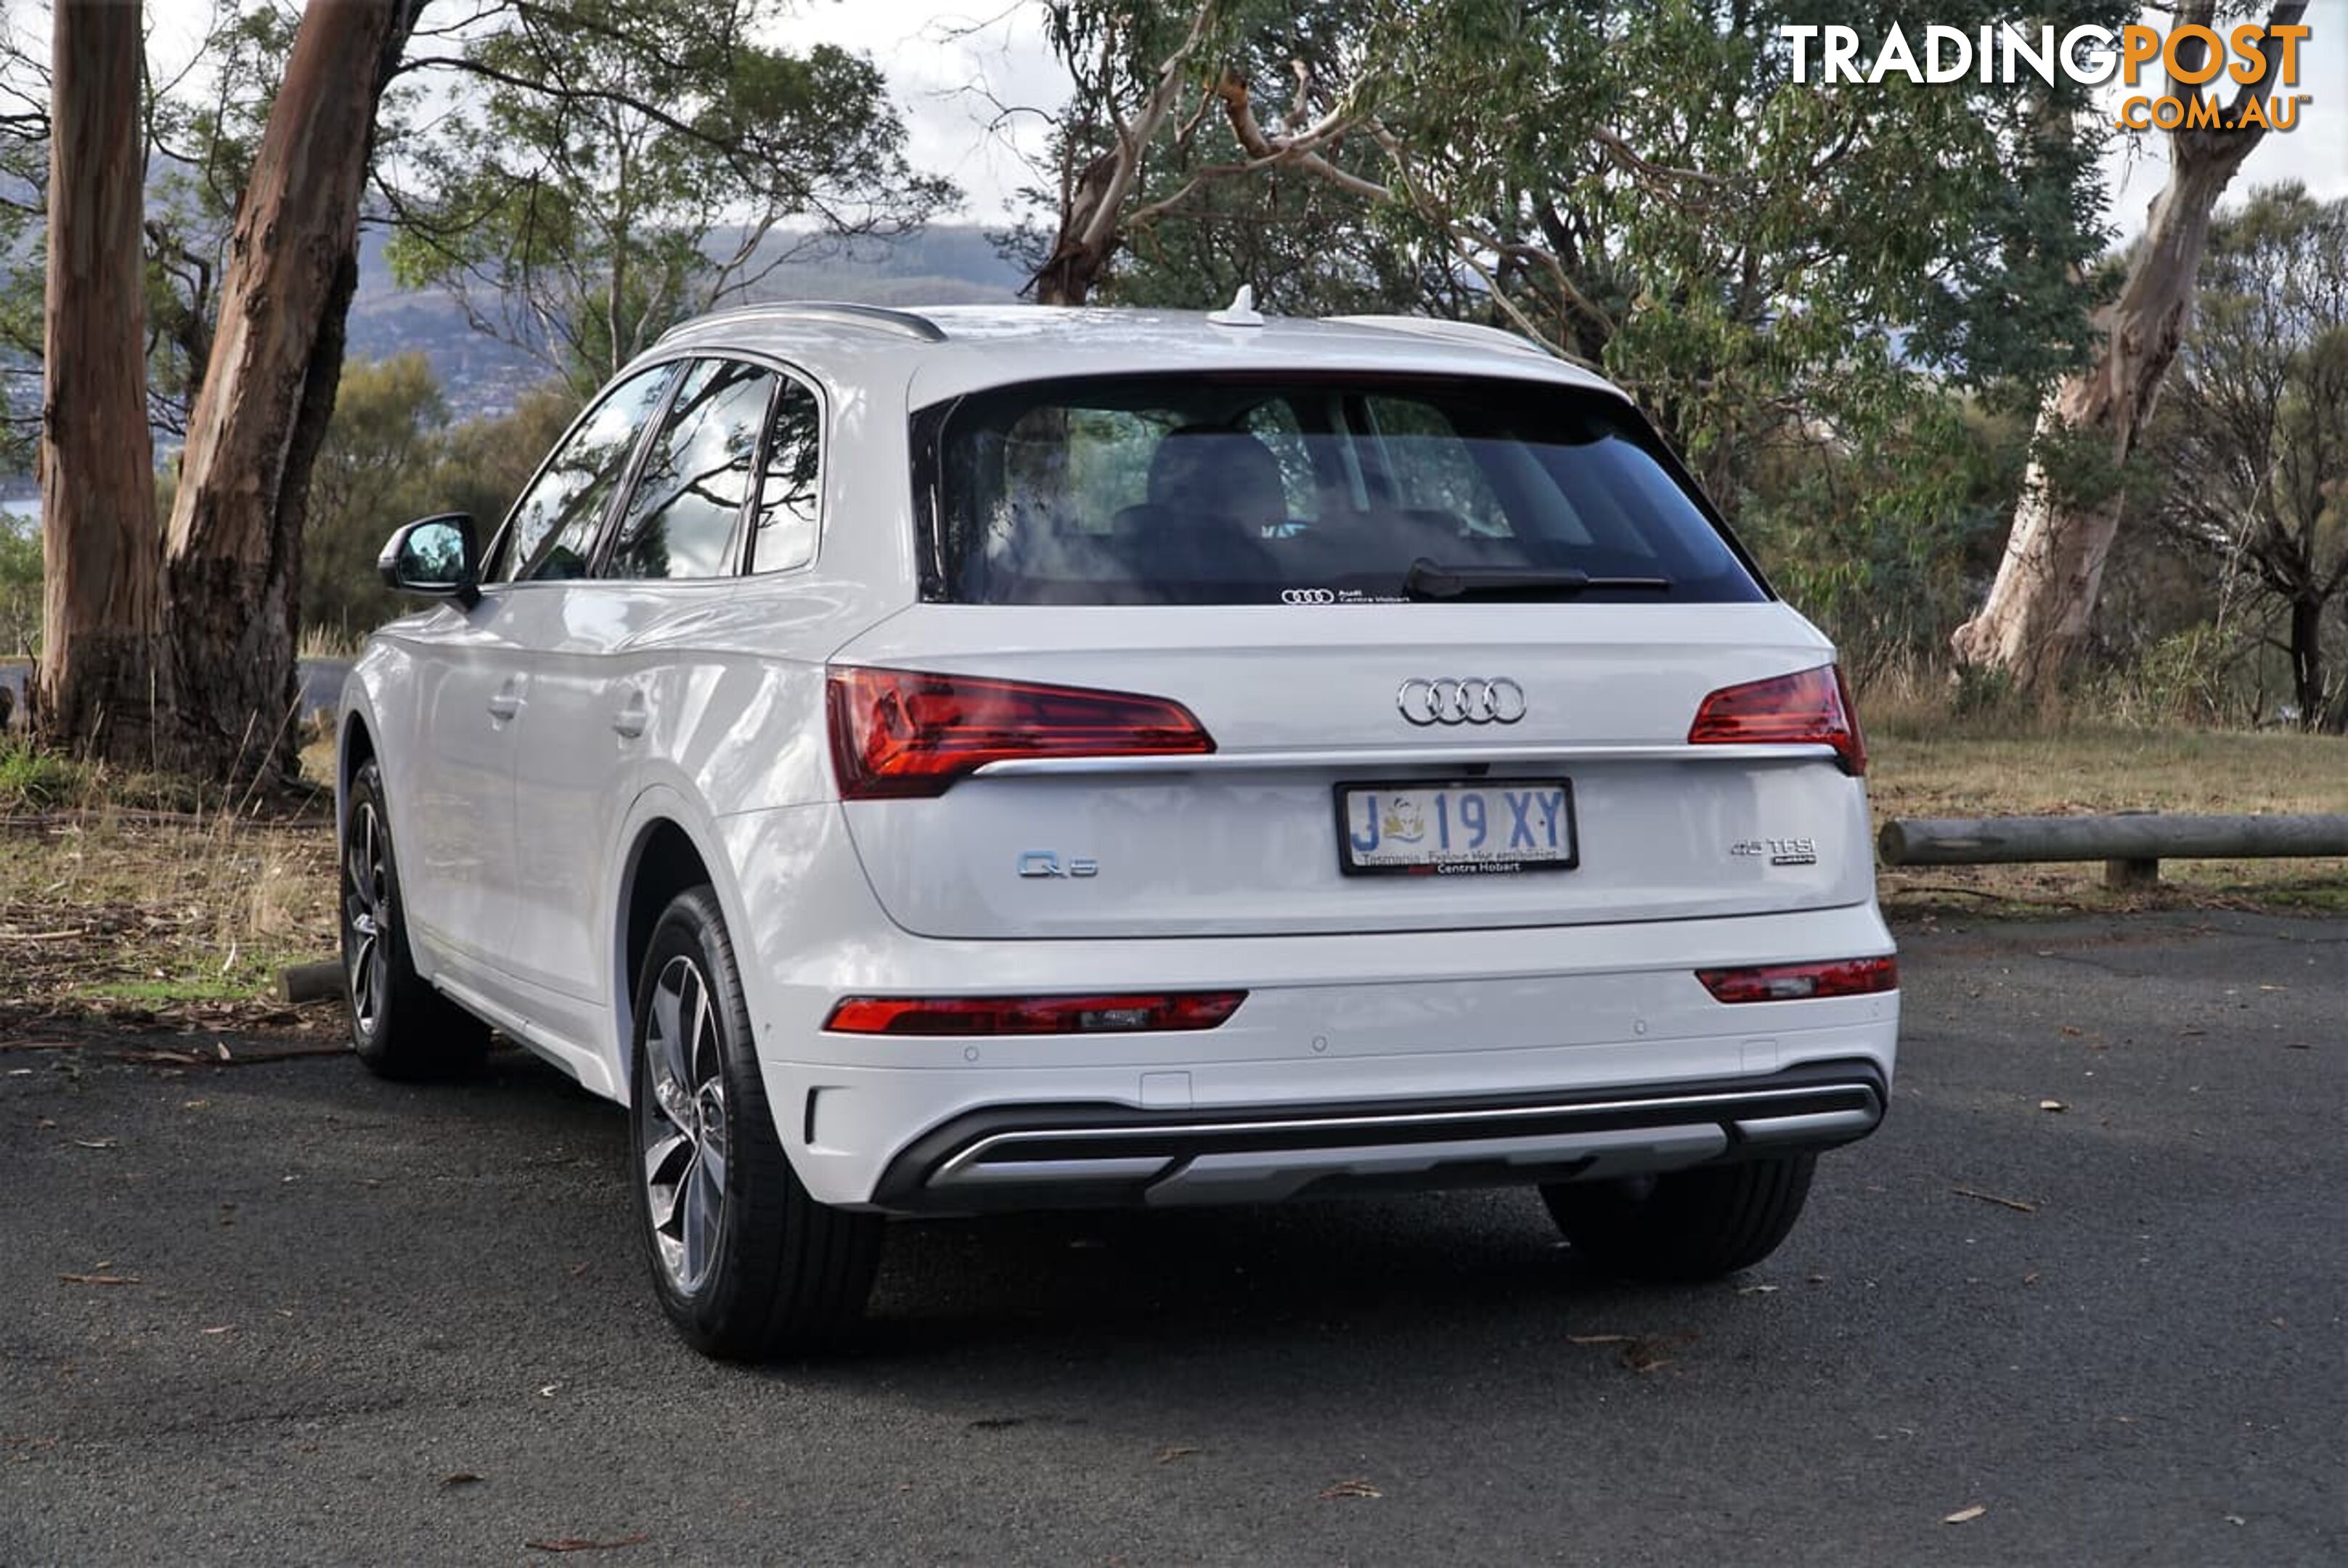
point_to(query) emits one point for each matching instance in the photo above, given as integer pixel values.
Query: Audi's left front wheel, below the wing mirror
(398, 1022)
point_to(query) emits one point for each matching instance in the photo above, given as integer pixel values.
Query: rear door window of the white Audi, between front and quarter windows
(696, 478)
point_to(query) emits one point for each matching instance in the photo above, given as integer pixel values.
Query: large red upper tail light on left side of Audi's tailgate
(912, 734)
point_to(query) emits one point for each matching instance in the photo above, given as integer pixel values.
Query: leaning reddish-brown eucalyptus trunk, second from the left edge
(234, 548)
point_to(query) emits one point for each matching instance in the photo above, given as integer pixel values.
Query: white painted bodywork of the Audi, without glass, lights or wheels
(532, 743)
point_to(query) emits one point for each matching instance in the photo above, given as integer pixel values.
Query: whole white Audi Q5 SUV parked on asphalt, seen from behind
(1006, 759)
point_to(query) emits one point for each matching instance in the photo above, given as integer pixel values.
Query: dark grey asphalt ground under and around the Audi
(356, 1297)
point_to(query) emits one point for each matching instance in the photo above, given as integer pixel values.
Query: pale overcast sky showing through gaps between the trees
(936, 55)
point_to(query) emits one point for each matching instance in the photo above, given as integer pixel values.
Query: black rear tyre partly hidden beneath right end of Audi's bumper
(1685, 1226)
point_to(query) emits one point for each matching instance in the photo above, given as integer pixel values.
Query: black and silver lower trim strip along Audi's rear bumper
(1119, 1156)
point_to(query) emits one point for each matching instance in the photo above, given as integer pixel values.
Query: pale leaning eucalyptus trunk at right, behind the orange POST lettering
(2042, 604)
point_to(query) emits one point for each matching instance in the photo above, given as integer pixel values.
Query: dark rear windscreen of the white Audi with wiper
(1311, 489)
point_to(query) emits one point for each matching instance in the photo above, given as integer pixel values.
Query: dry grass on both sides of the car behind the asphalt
(173, 921)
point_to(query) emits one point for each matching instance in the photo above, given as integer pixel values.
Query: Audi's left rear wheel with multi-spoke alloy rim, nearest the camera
(745, 1264)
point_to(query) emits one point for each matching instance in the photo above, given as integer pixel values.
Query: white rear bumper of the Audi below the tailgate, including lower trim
(1332, 1027)
